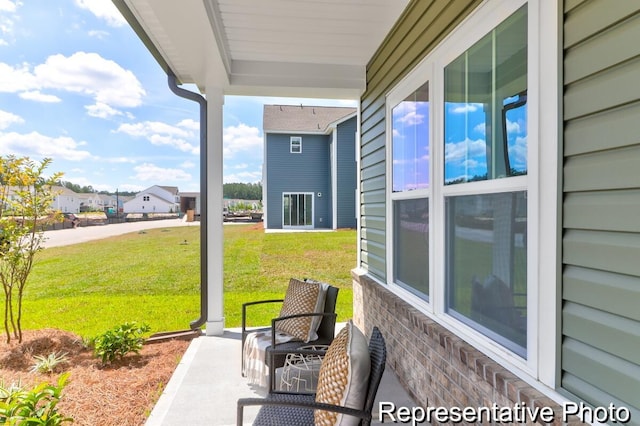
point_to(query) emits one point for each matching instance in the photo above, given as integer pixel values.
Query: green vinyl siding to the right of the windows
(601, 231)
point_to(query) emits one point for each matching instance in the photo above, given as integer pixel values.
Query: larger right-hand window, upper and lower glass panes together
(485, 138)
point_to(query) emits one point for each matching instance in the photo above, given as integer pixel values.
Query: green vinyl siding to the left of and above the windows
(420, 28)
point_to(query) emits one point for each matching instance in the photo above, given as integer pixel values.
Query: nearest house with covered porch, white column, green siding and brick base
(499, 193)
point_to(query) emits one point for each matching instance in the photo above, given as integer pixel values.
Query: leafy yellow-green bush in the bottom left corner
(33, 407)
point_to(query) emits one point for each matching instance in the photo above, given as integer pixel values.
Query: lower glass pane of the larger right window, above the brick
(486, 241)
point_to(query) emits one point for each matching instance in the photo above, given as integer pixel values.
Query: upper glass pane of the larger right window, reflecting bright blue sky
(486, 108)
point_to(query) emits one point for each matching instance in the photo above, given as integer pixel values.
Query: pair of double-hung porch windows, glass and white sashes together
(459, 181)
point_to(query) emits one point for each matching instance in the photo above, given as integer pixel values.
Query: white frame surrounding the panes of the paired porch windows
(542, 212)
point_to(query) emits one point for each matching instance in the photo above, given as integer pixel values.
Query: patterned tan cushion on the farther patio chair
(302, 297)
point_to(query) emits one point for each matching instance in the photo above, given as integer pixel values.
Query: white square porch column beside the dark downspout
(215, 236)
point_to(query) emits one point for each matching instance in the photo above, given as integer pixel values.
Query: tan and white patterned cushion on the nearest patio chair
(344, 376)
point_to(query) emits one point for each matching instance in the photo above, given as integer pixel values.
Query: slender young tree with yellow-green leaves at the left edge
(26, 199)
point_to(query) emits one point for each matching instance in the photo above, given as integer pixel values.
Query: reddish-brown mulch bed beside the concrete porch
(123, 394)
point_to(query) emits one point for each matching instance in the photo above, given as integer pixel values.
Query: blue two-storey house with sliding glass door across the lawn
(309, 172)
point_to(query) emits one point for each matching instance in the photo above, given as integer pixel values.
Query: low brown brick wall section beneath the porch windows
(435, 366)
